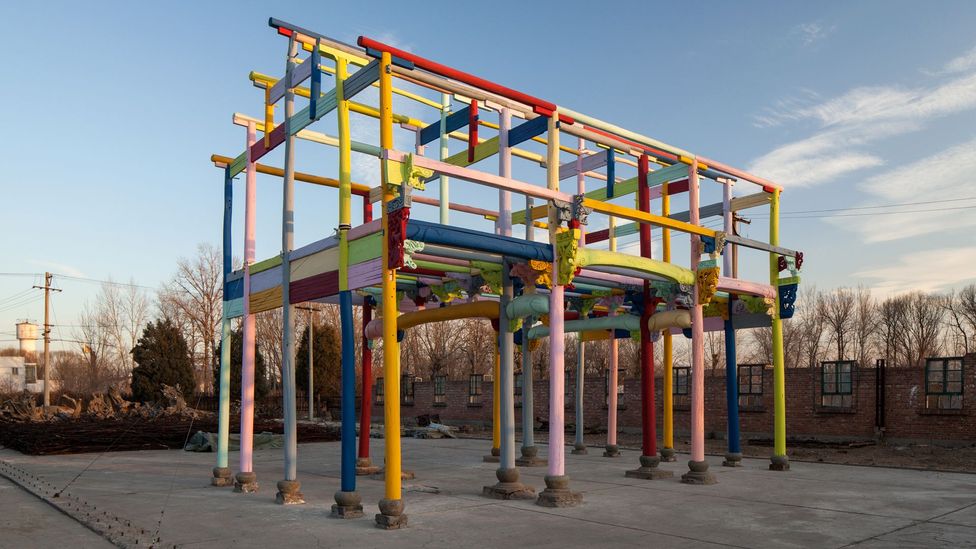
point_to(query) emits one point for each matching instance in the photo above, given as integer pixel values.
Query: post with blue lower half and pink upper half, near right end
(733, 458)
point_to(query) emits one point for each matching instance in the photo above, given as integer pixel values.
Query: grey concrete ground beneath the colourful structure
(165, 495)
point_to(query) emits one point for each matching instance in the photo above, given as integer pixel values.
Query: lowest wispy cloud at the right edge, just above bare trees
(916, 271)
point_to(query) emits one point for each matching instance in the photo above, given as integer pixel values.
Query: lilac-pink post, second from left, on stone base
(245, 480)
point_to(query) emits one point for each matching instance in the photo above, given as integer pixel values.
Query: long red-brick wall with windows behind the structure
(905, 415)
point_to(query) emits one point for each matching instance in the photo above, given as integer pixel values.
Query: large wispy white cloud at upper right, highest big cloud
(851, 121)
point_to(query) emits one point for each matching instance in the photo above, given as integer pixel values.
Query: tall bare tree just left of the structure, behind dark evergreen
(193, 300)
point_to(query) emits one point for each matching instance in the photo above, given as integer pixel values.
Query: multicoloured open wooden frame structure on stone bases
(493, 264)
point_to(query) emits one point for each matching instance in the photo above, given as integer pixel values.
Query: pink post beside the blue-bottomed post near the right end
(698, 468)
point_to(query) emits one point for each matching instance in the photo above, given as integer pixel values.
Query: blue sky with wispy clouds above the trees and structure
(112, 110)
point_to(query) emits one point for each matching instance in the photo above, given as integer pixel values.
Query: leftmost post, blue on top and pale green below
(221, 472)
